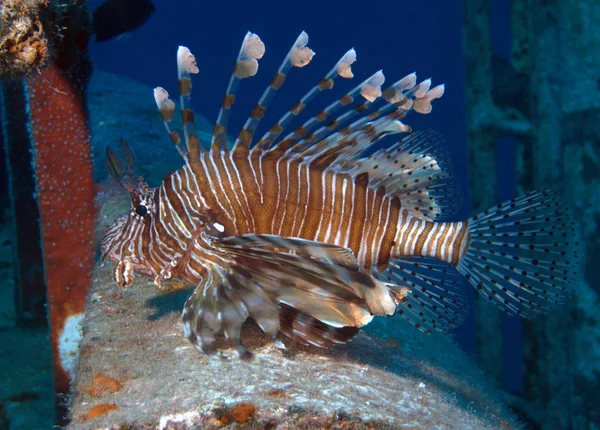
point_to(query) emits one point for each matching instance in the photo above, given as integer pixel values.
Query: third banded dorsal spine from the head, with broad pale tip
(246, 65)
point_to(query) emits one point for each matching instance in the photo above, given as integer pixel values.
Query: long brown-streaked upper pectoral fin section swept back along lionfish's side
(307, 280)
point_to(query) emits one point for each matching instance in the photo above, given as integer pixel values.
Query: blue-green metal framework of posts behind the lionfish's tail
(553, 120)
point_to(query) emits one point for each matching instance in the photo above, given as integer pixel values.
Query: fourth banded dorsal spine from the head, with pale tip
(299, 55)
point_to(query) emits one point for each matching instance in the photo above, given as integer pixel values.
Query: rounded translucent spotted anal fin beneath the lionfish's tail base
(435, 300)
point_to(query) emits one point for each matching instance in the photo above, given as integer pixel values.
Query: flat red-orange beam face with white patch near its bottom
(65, 193)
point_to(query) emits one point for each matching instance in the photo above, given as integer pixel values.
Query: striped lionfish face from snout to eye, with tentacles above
(122, 241)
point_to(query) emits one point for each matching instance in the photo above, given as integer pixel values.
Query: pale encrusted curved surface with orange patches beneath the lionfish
(137, 369)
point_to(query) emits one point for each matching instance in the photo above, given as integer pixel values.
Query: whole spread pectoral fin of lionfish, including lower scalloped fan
(325, 290)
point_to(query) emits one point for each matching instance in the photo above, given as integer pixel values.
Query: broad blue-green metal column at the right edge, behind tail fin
(557, 44)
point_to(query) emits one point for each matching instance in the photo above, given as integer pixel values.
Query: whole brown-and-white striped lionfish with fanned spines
(313, 233)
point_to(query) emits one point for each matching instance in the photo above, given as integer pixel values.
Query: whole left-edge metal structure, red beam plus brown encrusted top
(43, 49)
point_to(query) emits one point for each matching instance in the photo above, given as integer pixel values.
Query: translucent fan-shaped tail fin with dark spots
(522, 254)
